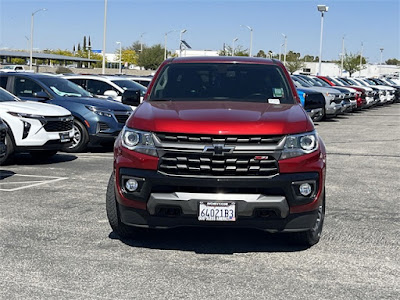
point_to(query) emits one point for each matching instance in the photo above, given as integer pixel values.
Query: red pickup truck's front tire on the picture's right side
(312, 236)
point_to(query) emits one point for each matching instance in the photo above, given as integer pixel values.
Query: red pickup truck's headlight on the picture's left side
(139, 141)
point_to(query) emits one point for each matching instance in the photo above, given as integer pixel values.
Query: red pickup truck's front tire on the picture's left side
(121, 229)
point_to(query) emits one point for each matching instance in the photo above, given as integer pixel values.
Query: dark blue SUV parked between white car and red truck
(96, 121)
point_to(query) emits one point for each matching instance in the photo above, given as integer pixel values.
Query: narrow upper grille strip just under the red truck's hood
(213, 139)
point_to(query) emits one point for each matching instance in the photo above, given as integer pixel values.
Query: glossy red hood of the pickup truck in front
(220, 117)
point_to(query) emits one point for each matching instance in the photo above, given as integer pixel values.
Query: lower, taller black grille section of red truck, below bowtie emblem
(203, 164)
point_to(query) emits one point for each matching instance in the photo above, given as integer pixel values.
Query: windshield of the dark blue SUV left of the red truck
(65, 88)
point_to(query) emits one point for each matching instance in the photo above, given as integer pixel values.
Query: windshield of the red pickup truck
(222, 82)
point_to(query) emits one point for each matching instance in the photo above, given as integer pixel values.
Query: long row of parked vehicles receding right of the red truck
(343, 95)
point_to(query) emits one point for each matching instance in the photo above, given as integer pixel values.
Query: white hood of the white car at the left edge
(34, 108)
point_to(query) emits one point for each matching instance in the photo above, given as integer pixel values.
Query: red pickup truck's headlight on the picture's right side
(300, 144)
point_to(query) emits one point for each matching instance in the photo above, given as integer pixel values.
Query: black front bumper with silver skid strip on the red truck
(163, 201)
